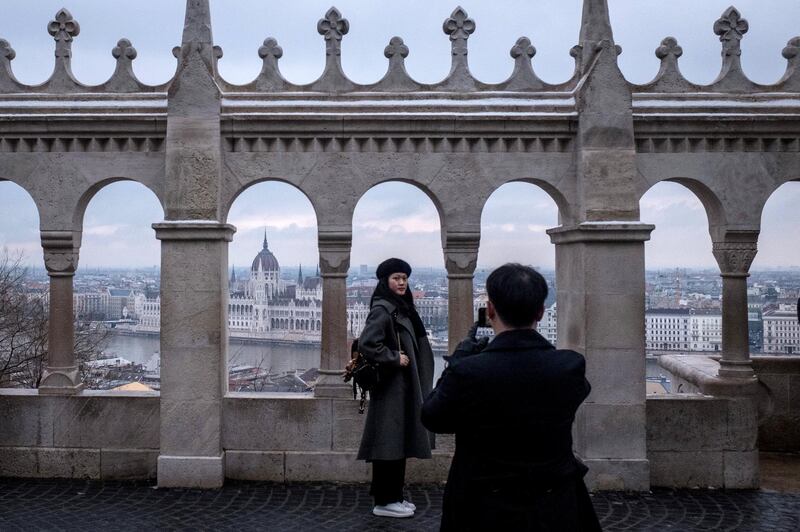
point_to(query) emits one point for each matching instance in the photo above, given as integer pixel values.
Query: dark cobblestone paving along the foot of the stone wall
(94, 505)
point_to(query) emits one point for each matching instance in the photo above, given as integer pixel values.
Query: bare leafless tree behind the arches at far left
(24, 322)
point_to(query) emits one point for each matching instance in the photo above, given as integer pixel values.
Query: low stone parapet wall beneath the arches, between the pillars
(692, 440)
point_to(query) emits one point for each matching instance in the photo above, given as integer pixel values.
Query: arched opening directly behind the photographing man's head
(514, 222)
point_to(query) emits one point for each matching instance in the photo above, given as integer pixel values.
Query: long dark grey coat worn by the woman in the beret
(393, 429)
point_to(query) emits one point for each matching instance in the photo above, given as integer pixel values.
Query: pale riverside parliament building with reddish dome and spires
(265, 306)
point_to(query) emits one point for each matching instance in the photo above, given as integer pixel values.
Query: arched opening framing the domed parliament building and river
(272, 267)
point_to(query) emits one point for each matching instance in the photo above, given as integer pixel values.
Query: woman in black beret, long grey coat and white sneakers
(395, 338)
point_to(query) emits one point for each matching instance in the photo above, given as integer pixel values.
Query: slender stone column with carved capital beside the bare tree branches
(61, 375)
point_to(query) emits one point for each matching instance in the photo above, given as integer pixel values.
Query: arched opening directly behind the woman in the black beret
(399, 220)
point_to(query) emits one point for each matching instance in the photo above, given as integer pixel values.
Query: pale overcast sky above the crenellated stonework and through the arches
(395, 219)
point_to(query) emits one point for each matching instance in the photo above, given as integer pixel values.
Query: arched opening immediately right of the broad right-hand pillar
(683, 289)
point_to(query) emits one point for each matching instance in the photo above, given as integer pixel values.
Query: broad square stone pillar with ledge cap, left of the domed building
(194, 338)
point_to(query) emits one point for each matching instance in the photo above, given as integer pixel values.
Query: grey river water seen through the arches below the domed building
(277, 358)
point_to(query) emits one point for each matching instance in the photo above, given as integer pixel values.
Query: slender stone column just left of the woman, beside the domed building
(334, 262)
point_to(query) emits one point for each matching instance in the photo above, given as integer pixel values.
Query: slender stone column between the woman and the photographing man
(461, 256)
